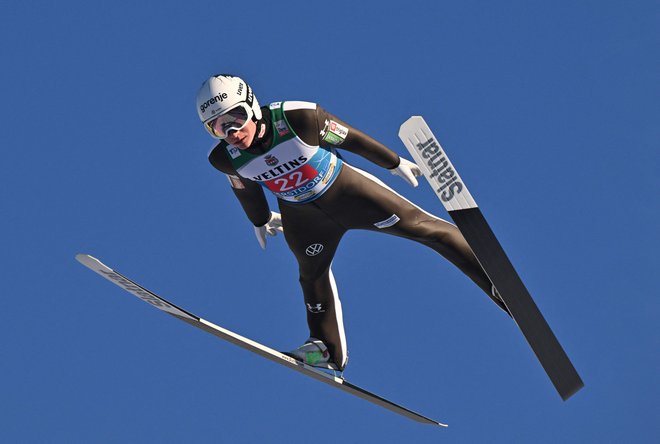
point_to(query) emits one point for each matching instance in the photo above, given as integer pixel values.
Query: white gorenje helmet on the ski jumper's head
(228, 96)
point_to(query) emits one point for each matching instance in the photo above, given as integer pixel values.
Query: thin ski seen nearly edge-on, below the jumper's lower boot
(151, 298)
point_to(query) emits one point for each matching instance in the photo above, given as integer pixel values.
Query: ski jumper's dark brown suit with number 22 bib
(320, 197)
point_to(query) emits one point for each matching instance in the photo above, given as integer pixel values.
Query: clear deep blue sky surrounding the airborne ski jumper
(549, 110)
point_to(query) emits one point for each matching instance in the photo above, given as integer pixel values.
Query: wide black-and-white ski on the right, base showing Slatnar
(457, 200)
